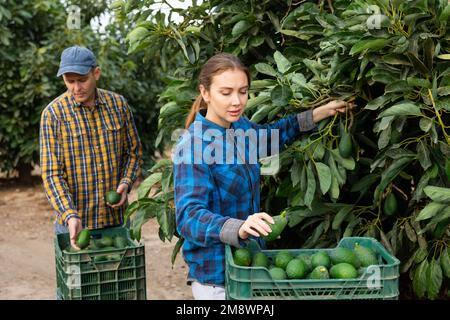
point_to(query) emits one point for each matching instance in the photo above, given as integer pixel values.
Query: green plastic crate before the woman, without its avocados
(255, 283)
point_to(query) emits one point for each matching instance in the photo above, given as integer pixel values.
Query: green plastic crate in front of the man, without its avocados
(79, 277)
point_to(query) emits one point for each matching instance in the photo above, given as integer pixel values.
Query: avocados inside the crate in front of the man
(105, 243)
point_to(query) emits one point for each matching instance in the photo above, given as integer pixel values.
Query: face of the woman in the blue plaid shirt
(226, 97)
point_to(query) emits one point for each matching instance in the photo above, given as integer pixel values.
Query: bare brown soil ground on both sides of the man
(27, 260)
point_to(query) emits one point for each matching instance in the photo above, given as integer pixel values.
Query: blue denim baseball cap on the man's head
(77, 60)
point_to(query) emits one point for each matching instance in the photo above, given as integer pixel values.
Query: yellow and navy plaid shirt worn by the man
(85, 152)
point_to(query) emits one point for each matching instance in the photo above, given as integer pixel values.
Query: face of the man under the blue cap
(82, 87)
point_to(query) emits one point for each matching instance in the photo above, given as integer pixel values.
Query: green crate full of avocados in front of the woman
(358, 268)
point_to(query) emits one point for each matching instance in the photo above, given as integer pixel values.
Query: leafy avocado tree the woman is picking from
(381, 170)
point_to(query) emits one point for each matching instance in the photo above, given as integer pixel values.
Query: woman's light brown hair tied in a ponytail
(215, 65)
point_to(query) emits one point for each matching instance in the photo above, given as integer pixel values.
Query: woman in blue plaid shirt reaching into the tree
(216, 186)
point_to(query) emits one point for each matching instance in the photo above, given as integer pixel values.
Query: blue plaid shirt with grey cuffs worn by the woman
(214, 183)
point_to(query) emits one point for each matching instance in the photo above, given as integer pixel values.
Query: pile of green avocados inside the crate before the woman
(338, 263)
